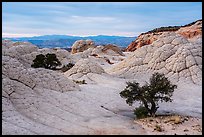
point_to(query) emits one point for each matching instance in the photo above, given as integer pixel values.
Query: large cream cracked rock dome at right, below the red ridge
(171, 54)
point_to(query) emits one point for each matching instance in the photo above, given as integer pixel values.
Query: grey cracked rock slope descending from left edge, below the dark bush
(42, 78)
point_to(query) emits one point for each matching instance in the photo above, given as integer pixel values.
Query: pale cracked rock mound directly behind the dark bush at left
(28, 52)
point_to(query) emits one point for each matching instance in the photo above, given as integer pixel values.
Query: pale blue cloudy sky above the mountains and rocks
(26, 19)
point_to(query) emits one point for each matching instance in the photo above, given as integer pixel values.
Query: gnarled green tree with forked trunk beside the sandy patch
(159, 89)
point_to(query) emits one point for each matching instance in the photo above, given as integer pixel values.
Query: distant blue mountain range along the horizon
(65, 41)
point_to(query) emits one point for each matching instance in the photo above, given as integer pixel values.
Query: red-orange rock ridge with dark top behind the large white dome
(188, 31)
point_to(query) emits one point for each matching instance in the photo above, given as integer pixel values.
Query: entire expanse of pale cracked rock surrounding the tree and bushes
(41, 101)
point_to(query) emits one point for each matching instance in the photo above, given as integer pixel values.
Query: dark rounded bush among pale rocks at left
(48, 61)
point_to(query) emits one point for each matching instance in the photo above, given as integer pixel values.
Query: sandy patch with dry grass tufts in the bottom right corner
(171, 125)
